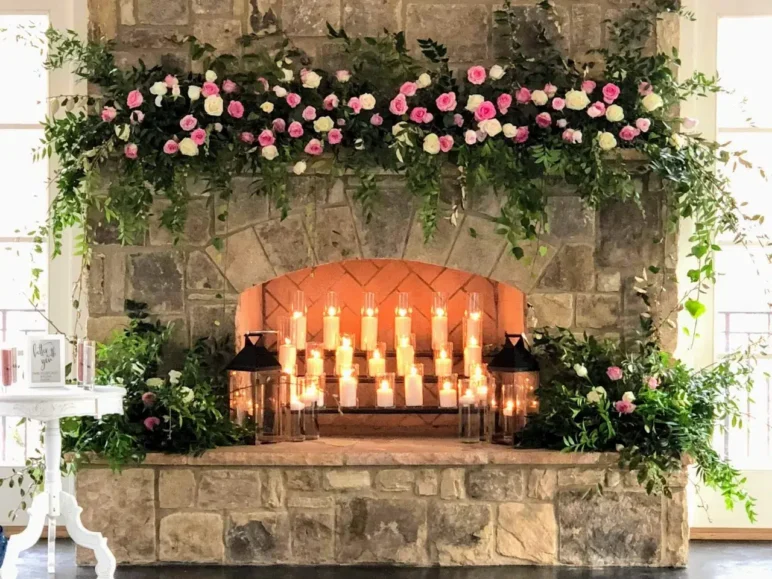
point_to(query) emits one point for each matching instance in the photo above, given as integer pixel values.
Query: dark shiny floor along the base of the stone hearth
(707, 561)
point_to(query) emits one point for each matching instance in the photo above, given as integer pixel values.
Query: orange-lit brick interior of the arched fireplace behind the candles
(269, 305)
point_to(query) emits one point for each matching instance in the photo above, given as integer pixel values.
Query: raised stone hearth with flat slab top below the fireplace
(395, 502)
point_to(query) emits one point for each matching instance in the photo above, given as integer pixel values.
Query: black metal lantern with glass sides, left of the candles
(258, 399)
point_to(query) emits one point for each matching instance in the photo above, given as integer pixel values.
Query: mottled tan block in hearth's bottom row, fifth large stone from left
(461, 533)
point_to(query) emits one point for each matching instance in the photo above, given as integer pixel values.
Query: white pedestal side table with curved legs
(49, 405)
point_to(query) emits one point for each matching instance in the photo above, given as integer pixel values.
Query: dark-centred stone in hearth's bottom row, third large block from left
(258, 537)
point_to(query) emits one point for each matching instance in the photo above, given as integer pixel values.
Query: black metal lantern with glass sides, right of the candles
(516, 372)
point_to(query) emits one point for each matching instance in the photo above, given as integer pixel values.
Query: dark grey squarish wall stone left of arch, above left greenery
(156, 279)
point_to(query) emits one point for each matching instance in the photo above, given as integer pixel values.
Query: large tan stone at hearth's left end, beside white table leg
(122, 508)
